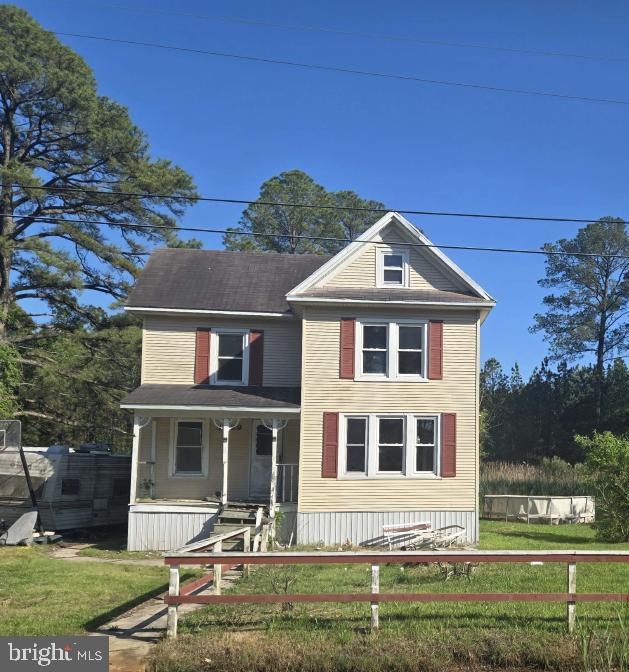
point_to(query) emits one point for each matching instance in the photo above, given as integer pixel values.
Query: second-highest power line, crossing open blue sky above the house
(349, 71)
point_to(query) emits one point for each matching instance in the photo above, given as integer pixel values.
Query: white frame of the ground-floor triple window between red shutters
(409, 447)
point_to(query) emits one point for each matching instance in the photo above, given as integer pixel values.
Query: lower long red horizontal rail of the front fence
(399, 597)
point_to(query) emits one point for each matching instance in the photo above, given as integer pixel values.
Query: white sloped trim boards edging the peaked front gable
(305, 288)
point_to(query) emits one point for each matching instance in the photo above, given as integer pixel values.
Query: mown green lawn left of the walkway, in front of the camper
(40, 595)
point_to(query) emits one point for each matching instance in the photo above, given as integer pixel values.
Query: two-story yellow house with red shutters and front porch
(340, 390)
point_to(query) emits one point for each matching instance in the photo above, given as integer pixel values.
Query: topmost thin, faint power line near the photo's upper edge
(368, 35)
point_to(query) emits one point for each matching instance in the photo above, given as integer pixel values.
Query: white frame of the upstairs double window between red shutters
(392, 373)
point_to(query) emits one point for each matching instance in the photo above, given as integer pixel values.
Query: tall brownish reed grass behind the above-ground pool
(553, 477)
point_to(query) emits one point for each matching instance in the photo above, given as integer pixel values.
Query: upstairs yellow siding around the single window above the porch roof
(168, 348)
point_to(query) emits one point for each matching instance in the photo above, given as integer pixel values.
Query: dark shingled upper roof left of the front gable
(221, 280)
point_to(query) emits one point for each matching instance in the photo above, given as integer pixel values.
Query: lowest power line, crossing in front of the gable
(332, 239)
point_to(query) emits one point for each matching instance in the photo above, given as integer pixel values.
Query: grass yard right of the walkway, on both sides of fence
(414, 636)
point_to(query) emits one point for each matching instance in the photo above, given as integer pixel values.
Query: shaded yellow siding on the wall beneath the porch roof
(169, 487)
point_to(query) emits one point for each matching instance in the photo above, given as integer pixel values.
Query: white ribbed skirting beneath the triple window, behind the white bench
(336, 527)
